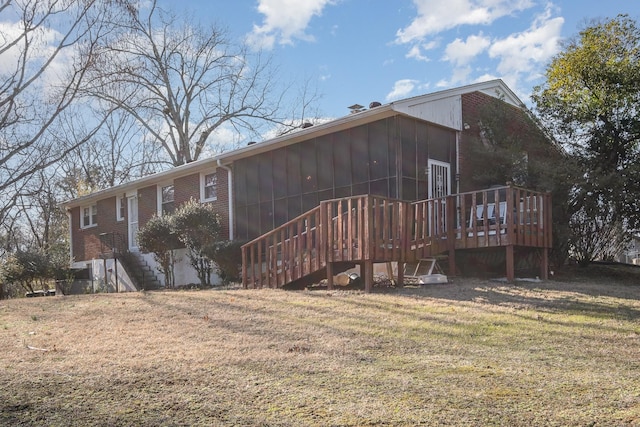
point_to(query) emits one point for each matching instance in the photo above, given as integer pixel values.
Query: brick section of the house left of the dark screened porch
(103, 225)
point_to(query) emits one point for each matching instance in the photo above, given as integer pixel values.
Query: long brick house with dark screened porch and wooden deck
(407, 151)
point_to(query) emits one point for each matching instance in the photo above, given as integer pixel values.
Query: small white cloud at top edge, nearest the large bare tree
(284, 21)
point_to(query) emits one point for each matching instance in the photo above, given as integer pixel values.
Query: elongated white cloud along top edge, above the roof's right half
(435, 16)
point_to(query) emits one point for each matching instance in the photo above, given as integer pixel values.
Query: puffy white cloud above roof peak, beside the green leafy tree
(529, 50)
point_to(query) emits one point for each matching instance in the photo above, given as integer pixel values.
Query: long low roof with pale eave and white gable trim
(433, 107)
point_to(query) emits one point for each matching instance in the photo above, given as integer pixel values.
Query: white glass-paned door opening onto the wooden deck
(439, 184)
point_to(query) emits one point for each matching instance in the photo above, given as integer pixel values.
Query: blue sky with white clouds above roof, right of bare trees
(359, 51)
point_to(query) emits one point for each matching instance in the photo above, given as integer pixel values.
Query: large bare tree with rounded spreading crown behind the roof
(183, 83)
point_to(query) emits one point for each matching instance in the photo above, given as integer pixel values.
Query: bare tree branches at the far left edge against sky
(45, 47)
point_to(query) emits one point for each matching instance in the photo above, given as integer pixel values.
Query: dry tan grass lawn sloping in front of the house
(468, 353)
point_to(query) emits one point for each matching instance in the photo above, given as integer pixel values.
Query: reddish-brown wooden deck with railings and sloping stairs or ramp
(369, 229)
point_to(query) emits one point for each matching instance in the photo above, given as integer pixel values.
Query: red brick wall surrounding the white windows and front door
(86, 241)
